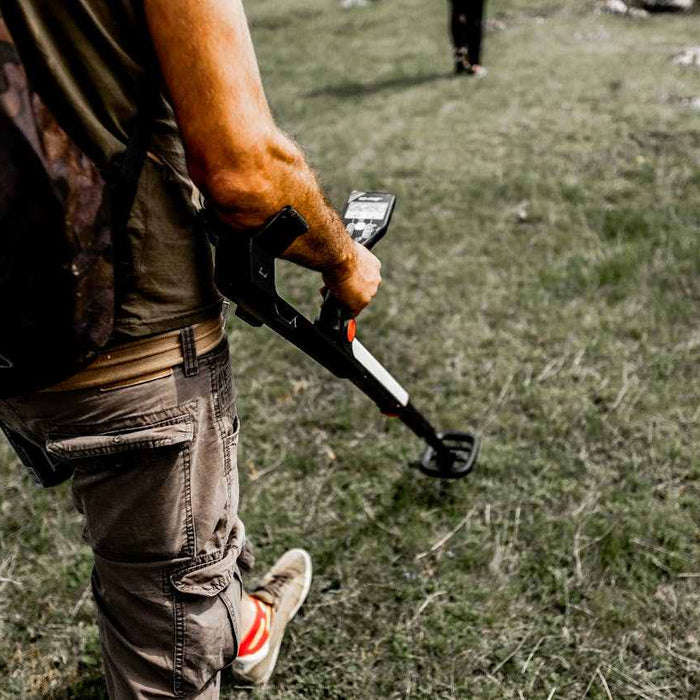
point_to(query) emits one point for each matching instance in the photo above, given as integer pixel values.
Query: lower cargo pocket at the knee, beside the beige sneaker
(206, 598)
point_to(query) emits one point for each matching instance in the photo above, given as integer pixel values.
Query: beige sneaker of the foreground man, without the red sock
(284, 588)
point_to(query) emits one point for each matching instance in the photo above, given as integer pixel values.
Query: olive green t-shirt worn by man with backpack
(87, 60)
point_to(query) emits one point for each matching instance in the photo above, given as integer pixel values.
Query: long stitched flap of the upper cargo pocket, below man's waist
(81, 446)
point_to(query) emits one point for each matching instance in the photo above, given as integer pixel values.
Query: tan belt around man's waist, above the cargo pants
(143, 360)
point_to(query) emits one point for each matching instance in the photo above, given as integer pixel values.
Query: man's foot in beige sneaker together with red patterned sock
(283, 591)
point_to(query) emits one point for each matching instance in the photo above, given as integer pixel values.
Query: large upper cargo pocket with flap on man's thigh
(133, 483)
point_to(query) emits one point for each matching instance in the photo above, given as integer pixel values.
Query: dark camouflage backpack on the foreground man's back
(57, 237)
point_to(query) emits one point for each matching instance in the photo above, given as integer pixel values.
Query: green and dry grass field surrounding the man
(542, 286)
